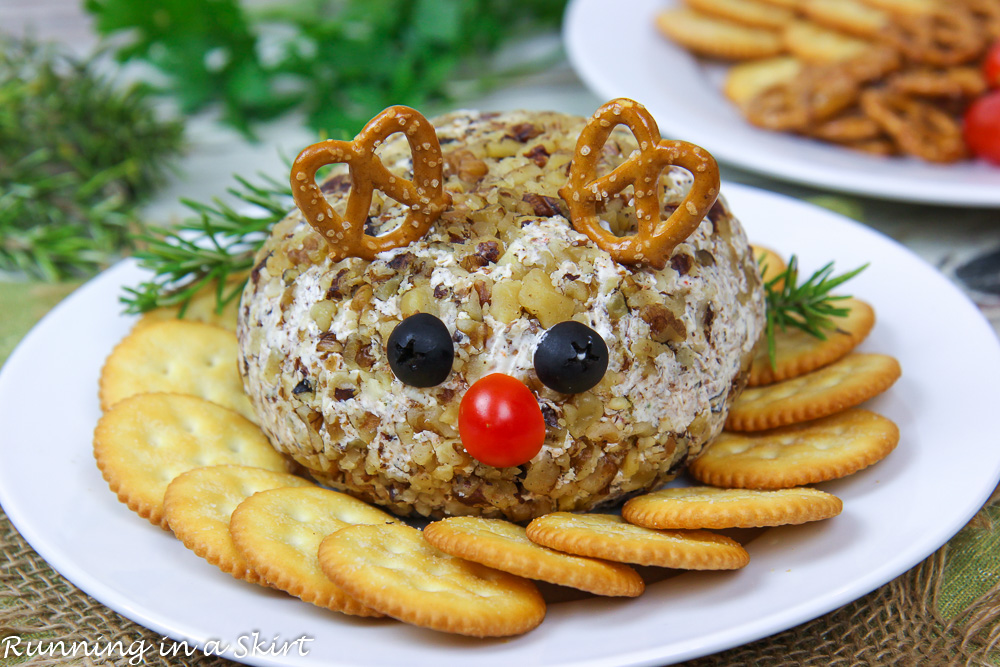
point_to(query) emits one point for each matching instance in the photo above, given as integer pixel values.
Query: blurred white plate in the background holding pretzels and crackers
(619, 53)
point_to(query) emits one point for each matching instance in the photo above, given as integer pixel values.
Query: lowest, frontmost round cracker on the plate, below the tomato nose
(393, 569)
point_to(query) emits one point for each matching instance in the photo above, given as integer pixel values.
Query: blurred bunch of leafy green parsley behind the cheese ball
(339, 61)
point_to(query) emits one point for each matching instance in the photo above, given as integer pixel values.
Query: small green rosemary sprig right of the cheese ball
(808, 306)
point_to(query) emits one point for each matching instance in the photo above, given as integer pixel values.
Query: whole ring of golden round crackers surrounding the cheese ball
(178, 444)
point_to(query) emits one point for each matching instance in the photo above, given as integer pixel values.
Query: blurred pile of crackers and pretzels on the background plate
(888, 77)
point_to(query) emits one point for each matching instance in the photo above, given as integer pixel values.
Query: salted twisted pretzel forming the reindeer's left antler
(424, 195)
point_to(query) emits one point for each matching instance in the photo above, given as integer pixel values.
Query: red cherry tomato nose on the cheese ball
(500, 422)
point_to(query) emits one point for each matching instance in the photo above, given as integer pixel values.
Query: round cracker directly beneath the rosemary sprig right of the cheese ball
(797, 352)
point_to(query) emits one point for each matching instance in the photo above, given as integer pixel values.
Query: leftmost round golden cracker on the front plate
(143, 442)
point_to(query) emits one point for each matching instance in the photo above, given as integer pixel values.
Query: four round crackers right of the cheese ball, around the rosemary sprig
(798, 422)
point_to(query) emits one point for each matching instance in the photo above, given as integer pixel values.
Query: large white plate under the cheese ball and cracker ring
(896, 512)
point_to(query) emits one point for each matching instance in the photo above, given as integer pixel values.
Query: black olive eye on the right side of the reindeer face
(571, 357)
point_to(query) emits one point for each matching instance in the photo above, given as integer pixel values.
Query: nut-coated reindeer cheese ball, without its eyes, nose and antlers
(499, 268)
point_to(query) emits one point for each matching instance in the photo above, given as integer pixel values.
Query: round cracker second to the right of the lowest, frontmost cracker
(608, 536)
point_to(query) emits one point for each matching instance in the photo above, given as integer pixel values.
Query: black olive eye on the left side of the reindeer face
(420, 350)
